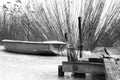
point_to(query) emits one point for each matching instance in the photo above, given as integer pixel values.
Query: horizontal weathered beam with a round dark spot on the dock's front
(83, 67)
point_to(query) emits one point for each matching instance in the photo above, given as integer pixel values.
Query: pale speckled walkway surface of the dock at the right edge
(112, 69)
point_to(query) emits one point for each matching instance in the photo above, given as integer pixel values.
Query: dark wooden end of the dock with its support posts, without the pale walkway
(80, 68)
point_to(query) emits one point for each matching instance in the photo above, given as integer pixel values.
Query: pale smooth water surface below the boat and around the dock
(14, 66)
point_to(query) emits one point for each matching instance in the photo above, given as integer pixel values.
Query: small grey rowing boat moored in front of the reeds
(32, 47)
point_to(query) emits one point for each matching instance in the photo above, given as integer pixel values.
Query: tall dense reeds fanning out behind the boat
(40, 20)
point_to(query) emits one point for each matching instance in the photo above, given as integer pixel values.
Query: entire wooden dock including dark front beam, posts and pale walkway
(108, 66)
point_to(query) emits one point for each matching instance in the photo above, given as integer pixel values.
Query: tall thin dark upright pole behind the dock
(80, 36)
